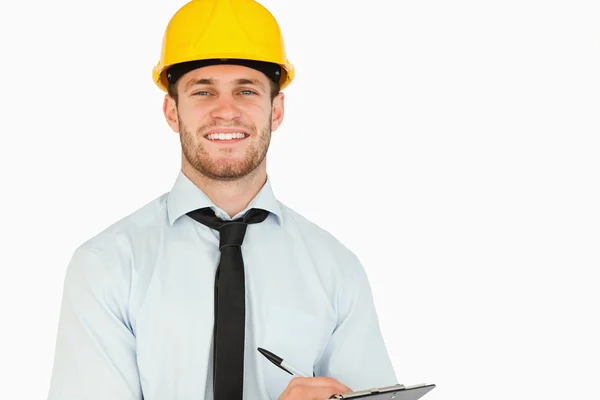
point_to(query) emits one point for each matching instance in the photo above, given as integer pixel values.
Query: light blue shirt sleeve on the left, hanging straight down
(95, 346)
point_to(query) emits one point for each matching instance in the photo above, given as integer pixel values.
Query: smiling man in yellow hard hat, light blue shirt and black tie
(148, 305)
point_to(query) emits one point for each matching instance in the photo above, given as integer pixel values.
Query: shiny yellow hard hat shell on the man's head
(222, 30)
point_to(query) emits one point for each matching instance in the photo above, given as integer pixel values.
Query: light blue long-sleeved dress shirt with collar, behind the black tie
(136, 320)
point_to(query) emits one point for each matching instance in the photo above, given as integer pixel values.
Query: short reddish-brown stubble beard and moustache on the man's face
(223, 169)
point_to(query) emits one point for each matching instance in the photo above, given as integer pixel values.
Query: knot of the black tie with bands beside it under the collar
(231, 232)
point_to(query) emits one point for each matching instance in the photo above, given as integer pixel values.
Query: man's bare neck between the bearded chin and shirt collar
(230, 196)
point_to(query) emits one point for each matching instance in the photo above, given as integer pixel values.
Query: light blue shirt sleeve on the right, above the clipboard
(356, 354)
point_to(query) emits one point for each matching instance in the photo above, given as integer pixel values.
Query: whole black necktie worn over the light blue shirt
(230, 301)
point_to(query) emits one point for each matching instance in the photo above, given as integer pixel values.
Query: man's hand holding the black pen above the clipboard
(319, 388)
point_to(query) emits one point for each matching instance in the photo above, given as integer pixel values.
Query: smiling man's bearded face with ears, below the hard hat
(224, 118)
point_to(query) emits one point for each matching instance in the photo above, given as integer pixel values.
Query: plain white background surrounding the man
(453, 145)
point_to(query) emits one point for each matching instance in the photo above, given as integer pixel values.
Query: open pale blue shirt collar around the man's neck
(185, 196)
